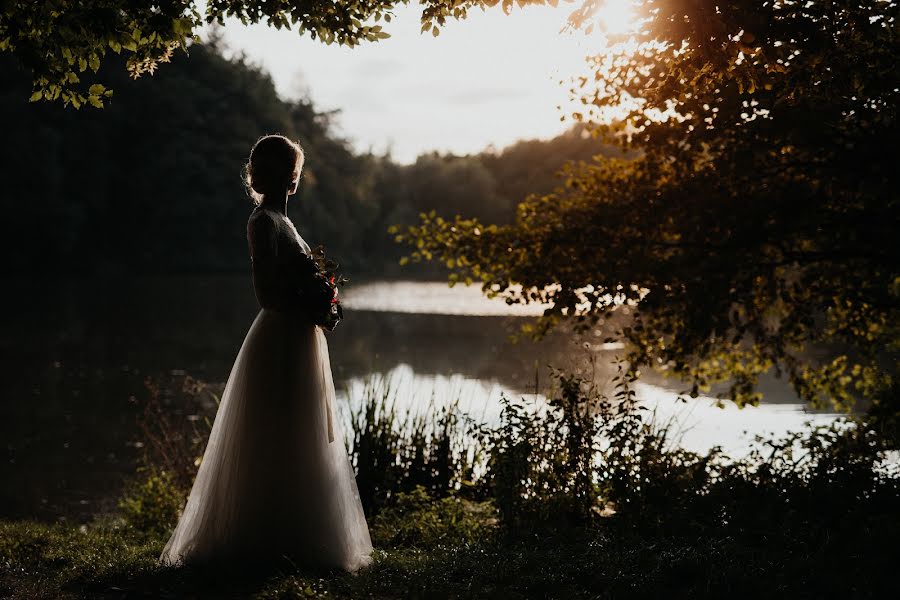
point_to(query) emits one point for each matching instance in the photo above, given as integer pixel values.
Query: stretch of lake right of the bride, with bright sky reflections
(446, 357)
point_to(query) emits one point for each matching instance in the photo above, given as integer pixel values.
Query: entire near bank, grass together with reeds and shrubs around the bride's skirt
(568, 503)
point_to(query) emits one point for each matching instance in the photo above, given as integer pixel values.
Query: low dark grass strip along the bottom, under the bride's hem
(453, 549)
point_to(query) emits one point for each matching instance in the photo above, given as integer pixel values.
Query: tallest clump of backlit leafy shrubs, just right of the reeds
(585, 454)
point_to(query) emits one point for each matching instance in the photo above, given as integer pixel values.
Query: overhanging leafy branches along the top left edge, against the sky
(62, 41)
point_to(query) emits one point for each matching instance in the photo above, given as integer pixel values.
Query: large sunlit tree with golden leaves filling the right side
(754, 228)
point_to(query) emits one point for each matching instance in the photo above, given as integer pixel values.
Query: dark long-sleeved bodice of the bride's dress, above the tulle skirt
(276, 252)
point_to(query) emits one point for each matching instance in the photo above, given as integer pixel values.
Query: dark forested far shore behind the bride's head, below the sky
(152, 183)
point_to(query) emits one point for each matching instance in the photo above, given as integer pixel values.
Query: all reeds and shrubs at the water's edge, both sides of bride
(571, 461)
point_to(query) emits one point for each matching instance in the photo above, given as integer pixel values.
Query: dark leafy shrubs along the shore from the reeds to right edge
(585, 457)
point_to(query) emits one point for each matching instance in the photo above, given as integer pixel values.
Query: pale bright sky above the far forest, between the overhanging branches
(489, 80)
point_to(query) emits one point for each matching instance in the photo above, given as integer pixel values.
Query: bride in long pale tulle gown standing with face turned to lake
(275, 479)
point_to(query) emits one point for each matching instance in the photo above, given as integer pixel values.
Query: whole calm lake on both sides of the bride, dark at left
(75, 354)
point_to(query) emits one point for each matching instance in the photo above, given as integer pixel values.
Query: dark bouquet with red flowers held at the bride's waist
(318, 289)
